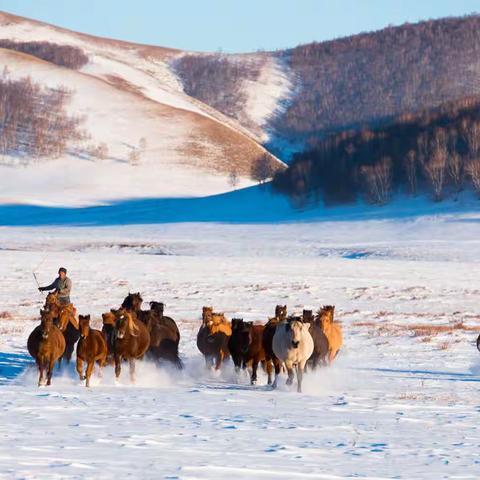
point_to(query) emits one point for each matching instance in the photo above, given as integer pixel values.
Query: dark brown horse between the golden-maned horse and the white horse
(245, 345)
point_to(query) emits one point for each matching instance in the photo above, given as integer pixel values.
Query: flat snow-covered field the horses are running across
(400, 402)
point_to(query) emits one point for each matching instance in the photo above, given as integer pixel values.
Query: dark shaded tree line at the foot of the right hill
(435, 150)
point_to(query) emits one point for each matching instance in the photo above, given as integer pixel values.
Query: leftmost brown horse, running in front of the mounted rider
(46, 345)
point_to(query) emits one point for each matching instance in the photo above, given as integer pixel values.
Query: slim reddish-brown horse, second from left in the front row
(91, 348)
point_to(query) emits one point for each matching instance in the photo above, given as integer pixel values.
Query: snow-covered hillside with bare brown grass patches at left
(127, 94)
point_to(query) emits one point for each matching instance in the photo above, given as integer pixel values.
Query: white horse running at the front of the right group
(293, 346)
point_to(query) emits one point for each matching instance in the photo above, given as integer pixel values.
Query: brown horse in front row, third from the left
(131, 340)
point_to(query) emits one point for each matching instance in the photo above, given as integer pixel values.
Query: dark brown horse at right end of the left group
(164, 336)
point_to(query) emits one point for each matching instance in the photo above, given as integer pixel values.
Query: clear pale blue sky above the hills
(233, 25)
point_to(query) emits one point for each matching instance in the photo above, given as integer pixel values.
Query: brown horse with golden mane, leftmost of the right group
(213, 336)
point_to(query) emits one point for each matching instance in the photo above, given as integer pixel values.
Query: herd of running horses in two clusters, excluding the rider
(130, 333)
